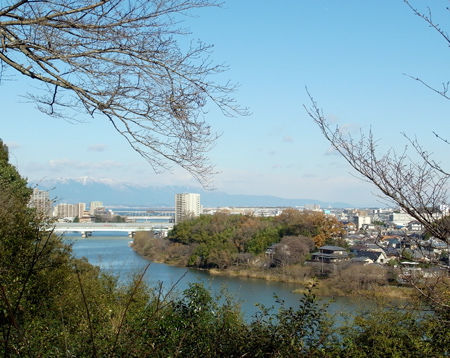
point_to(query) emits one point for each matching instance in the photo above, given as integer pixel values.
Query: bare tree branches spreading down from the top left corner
(122, 60)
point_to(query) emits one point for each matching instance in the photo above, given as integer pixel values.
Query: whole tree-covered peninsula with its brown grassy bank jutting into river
(271, 248)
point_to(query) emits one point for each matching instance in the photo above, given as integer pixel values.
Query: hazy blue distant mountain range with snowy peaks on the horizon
(113, 195)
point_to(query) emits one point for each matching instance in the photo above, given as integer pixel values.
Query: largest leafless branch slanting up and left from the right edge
(418, 187)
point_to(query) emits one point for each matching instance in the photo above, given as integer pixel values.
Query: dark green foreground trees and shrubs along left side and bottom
(54, 305)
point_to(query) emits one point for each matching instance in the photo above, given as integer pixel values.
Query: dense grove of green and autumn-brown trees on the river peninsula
(222, 240)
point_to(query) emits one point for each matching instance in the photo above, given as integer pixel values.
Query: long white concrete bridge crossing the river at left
(86, 229)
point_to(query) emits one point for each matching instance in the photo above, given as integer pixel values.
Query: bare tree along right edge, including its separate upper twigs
(412, 180)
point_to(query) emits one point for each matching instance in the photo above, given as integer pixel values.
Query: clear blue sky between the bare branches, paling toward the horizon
(352, 56)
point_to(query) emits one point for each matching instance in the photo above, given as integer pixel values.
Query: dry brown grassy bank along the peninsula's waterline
(355, 280)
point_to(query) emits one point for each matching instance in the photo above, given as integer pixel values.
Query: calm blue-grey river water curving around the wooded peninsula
(113, 255)
